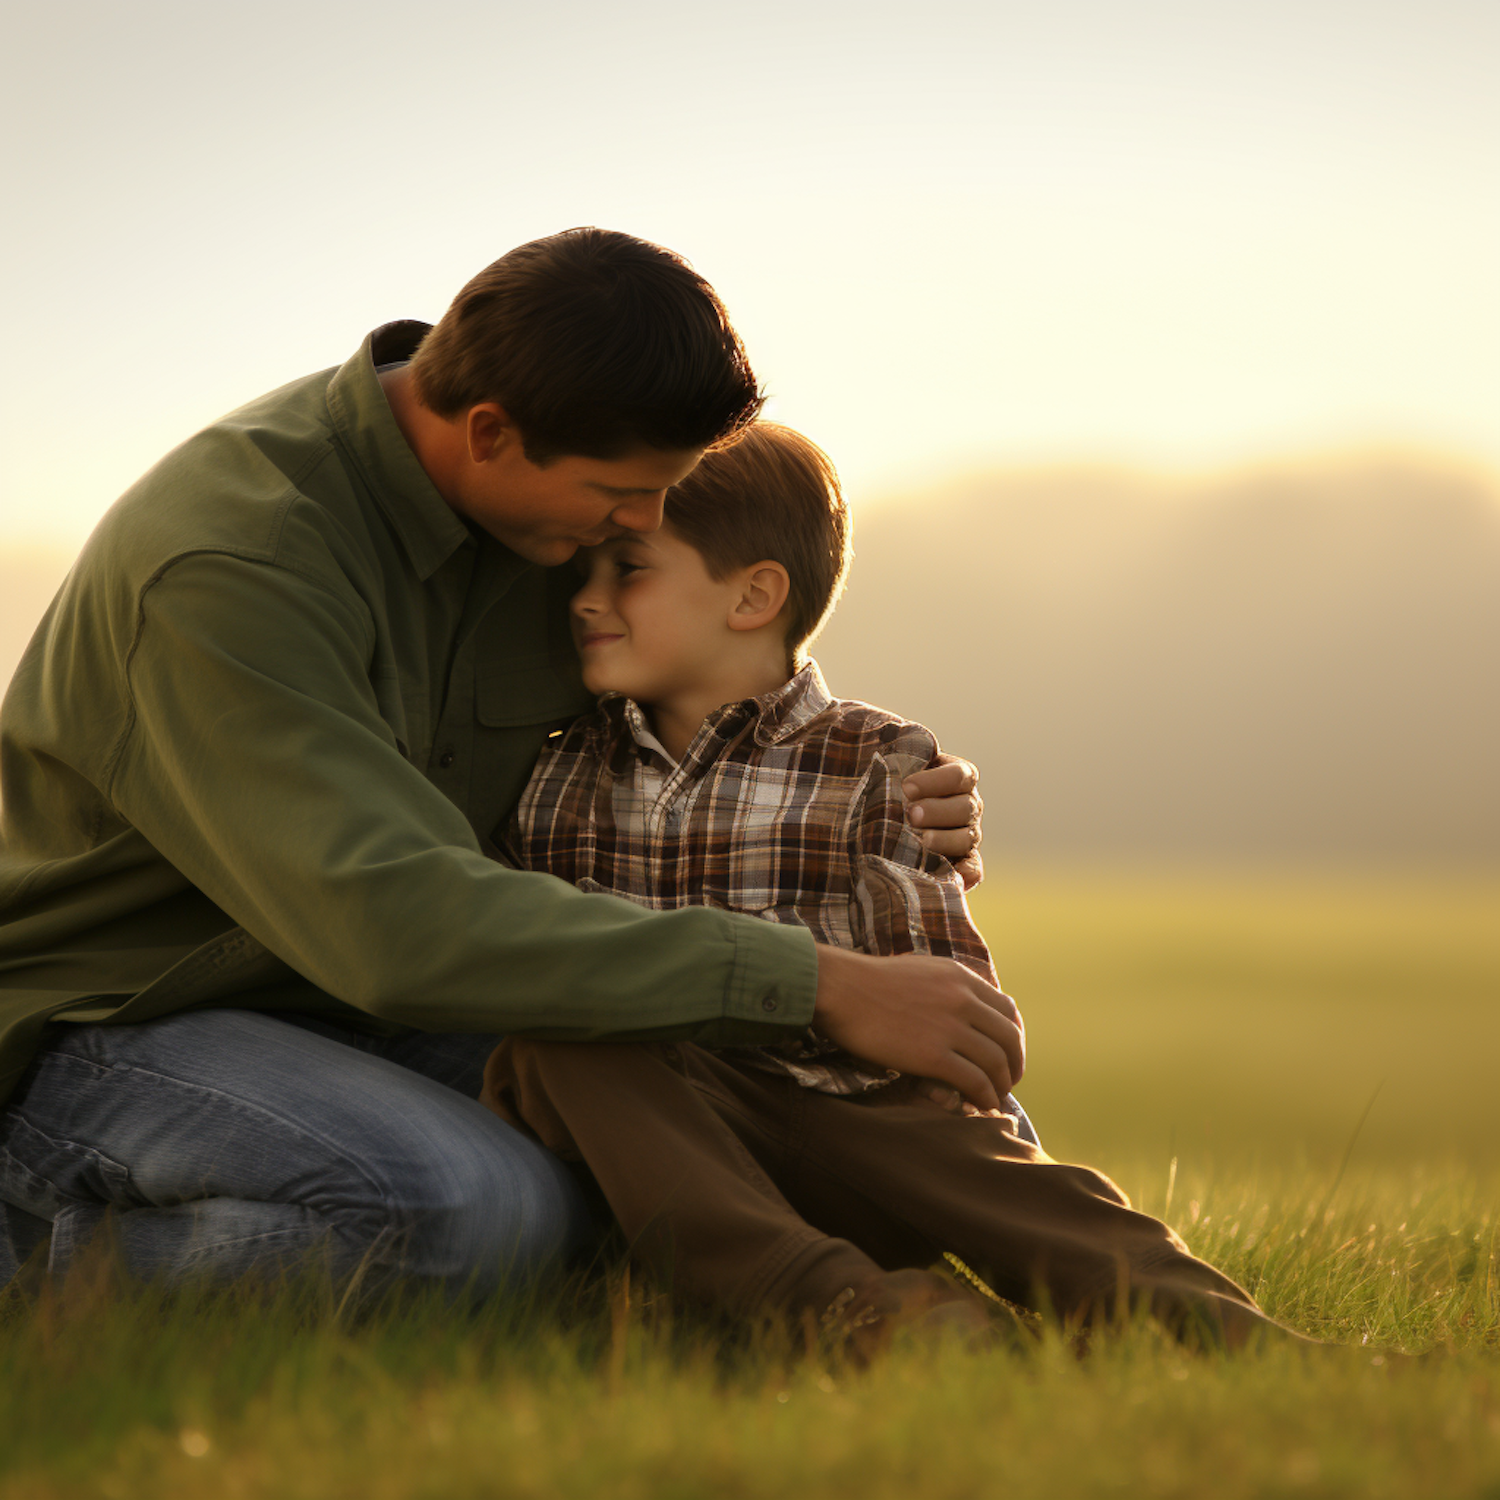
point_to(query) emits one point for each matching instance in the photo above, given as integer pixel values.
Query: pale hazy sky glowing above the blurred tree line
(1174, 233)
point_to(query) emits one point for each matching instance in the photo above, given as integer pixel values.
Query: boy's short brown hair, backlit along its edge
(772, 496)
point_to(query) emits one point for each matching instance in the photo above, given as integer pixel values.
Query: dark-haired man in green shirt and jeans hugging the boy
(298, 676)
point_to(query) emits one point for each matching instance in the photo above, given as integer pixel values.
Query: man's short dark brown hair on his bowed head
(596, 344)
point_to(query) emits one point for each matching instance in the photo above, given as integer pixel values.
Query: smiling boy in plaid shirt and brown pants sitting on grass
(718, 772)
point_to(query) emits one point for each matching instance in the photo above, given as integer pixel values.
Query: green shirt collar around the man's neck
(427, 524)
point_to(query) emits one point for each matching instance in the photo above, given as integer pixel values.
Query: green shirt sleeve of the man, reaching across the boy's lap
(257, 763)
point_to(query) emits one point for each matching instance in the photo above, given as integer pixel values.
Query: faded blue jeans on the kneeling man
(232, 1142)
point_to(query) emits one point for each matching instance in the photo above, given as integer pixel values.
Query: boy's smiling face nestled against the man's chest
(650, 622)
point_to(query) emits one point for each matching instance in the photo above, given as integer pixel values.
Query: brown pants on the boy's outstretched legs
(748, 1192)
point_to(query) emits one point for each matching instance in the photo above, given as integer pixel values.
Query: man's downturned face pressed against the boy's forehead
(547, 512)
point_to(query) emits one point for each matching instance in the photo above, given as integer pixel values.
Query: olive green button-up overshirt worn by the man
(257, 743)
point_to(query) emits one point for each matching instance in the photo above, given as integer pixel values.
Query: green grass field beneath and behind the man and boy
(1298, 1076)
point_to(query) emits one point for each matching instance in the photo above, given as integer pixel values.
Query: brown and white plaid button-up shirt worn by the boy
(785, 808)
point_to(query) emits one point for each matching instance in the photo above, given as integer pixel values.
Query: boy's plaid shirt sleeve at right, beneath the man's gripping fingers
(907, 899)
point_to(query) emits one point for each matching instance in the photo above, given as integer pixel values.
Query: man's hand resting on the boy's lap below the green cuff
(925, 1016)
